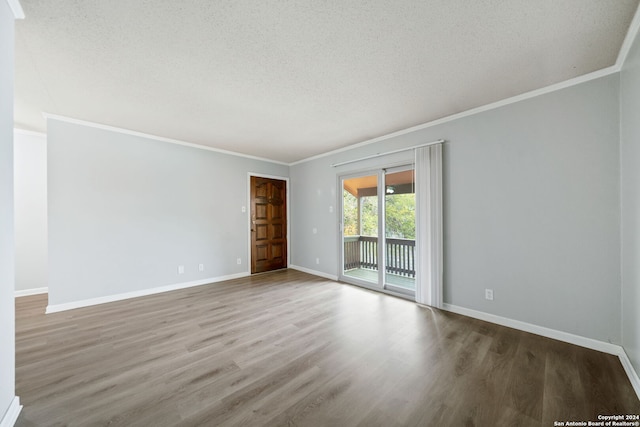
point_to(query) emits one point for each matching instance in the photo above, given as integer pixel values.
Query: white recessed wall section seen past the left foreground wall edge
(30, 174)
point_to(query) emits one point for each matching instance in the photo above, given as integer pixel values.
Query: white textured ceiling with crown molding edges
(287, 80)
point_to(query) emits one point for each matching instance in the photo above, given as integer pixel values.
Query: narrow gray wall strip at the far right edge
(630, 191)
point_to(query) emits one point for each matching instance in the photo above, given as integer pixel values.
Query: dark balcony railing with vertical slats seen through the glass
(362, 252)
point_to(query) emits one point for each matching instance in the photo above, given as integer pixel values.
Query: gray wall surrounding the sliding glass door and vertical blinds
(531, 209)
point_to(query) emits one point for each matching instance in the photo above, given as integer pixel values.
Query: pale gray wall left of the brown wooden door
(126, 211)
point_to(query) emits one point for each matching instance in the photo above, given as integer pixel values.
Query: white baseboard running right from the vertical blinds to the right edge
(604, 347)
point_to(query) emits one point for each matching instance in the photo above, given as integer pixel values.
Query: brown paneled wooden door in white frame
(268, 224)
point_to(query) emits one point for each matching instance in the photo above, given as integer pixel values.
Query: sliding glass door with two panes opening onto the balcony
(380, 200)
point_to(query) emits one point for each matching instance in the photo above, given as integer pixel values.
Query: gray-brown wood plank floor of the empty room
(287, 348)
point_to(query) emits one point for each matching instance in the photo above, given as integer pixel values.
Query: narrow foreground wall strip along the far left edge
(7, 318)
